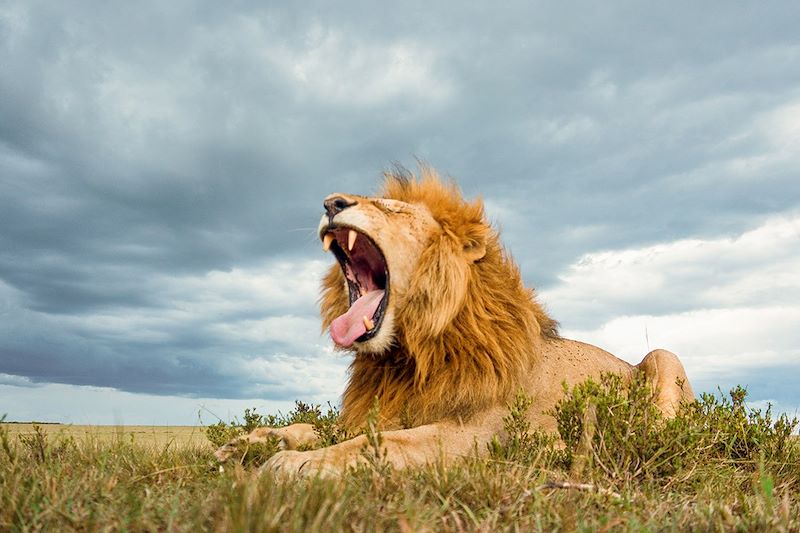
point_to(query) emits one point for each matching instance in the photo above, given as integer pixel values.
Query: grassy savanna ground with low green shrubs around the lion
(618, 466)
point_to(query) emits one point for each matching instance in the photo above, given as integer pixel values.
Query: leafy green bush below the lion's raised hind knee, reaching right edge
(631, 439)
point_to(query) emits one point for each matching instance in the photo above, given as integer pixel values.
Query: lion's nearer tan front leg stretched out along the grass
(401, 448)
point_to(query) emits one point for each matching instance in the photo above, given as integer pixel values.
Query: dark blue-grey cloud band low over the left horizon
(180, 359)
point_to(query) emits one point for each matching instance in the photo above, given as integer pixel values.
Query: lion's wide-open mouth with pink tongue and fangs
(367, 276)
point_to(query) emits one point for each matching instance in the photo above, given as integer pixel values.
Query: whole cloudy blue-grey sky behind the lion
(163, 165)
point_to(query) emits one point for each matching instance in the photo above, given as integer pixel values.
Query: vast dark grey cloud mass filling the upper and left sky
(144, 141)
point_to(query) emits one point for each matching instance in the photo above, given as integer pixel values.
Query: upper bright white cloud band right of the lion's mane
(751, 269)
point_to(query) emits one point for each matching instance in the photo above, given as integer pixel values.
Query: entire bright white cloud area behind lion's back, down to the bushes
(728, 307)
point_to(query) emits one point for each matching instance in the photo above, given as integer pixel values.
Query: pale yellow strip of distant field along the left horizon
(158, 436)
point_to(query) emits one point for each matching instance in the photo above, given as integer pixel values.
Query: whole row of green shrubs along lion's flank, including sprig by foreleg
(611, 431)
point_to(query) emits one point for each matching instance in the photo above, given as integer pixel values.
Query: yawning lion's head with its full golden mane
(428, 301)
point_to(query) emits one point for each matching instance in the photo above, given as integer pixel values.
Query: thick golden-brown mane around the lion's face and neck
(467, 332)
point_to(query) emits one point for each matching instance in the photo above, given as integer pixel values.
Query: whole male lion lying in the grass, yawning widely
(442, 331)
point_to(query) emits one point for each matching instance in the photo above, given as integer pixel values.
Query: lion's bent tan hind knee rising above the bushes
(666, 372)
